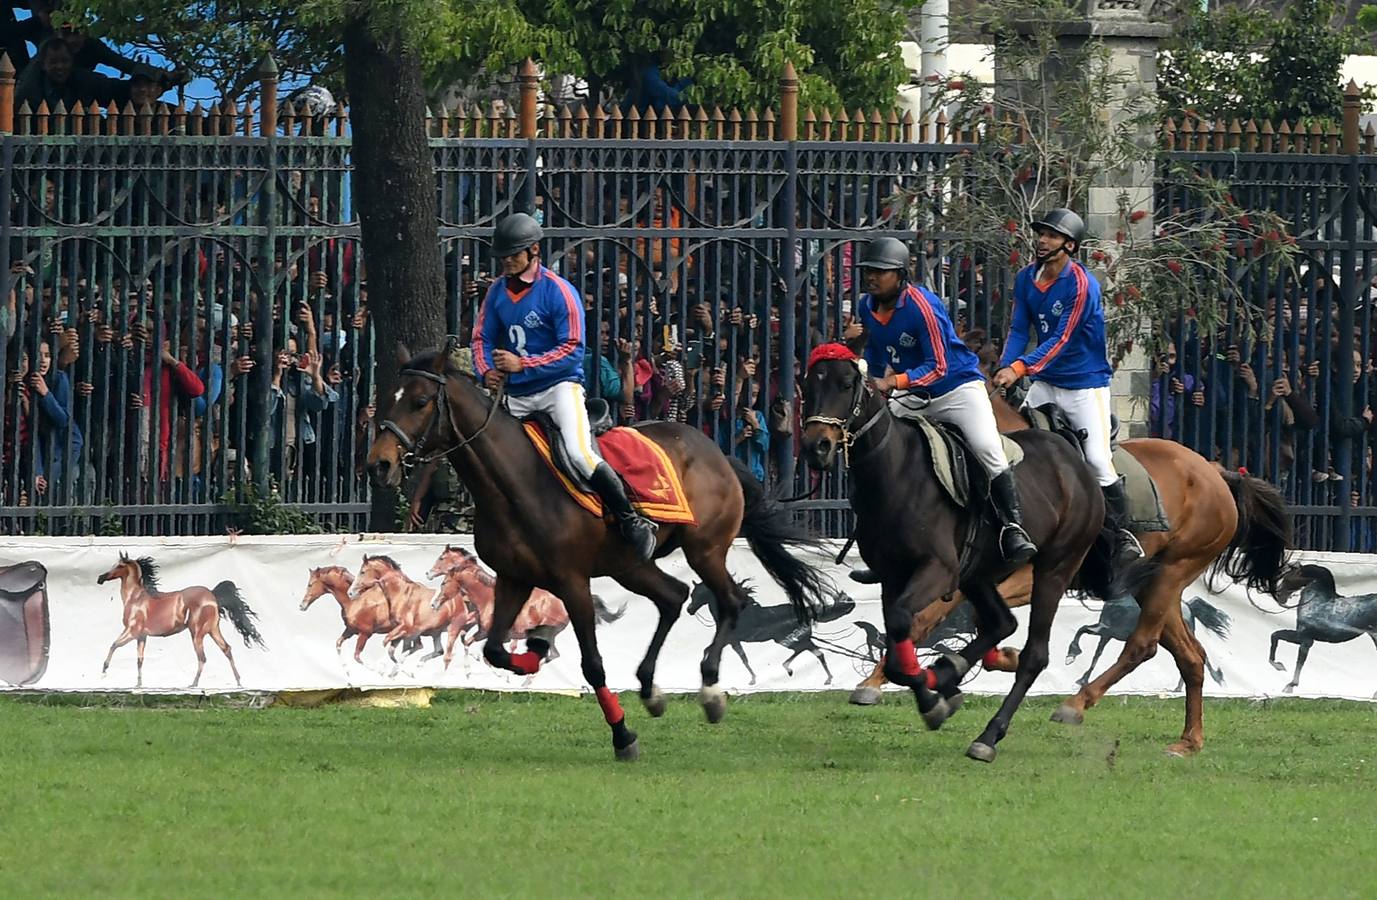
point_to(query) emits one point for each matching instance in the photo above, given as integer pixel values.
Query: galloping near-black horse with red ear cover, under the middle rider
(923, 547)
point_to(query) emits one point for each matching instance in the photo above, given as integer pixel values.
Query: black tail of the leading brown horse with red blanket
(769, 529)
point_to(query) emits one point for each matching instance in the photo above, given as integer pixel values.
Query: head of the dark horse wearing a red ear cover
(837, 401)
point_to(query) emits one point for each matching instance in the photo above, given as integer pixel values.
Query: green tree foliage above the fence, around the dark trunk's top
(733, 52)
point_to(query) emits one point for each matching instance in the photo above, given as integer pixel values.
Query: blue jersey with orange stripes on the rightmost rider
(1069, 320)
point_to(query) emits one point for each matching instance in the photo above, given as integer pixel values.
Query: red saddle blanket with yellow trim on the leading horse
(652, 481)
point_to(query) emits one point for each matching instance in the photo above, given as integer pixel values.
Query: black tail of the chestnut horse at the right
(1259, 555)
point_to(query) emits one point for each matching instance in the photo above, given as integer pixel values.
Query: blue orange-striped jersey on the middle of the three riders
(916, 341)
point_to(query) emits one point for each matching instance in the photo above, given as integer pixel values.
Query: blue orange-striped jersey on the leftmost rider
(543, 325)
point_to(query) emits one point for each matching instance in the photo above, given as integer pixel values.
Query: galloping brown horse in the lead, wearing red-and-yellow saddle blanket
(535, 536)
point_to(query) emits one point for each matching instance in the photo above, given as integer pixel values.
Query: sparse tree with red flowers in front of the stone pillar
(1062, 120)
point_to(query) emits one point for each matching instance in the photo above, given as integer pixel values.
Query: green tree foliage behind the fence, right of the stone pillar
(1229, 64)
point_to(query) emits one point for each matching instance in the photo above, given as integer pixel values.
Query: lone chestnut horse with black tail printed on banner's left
(149, 612)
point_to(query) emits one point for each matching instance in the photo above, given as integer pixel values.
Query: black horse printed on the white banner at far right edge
(1321, 616)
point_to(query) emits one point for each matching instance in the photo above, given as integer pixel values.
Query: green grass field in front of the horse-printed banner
(791, 796)
